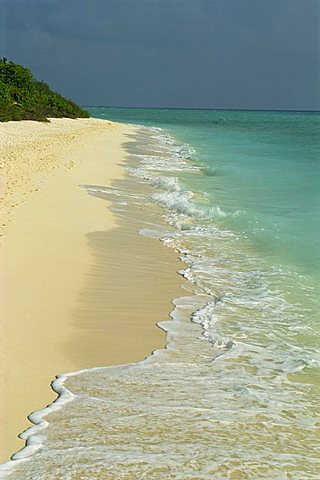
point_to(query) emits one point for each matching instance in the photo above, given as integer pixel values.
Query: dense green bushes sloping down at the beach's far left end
(24, 98)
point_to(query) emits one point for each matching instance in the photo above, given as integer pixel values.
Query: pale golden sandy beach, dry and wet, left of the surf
(78, 287)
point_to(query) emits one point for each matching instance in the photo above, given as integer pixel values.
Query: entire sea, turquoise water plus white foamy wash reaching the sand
(235, 394)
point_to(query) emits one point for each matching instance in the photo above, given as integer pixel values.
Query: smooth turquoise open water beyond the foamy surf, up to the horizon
(264, 164)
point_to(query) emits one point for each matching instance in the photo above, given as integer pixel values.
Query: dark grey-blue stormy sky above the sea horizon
(170, 53)
